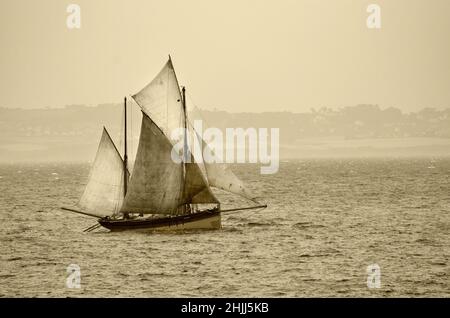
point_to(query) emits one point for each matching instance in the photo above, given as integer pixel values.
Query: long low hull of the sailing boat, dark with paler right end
(204, 220)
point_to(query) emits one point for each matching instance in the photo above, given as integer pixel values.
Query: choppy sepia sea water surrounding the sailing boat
(327, 221)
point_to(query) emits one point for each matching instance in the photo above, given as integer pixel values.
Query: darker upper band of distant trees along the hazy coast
(360, 121)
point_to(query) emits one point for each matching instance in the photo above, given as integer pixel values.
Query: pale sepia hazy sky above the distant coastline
(234, 55)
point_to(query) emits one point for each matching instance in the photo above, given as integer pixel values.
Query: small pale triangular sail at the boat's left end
(104, 192)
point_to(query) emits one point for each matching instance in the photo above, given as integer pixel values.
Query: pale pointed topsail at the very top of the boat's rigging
(161, 100)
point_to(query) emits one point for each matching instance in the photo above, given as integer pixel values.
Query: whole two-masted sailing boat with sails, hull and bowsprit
(159, 193)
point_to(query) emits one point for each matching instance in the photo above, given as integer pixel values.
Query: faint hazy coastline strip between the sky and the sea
(73, 133)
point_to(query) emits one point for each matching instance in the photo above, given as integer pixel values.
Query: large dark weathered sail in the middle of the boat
(155, 186)
